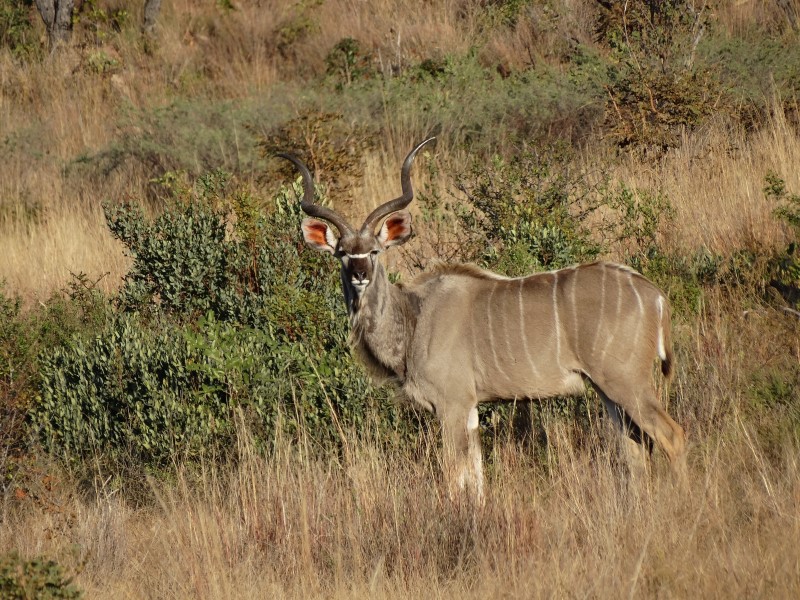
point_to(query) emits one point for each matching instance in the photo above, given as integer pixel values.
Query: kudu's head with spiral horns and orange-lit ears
(357, 249)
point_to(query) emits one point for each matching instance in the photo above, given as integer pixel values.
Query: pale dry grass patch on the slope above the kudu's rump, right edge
(715, 182)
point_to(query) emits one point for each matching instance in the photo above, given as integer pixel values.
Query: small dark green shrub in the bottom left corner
(39, 578)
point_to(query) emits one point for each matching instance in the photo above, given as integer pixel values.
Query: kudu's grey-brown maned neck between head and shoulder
(382, 320)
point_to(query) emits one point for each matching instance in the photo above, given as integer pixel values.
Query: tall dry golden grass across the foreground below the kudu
(379, 525)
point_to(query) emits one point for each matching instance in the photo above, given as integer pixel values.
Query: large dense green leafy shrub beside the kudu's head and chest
(224, 315)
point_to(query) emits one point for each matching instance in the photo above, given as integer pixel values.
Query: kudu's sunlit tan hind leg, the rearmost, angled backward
(640, 403)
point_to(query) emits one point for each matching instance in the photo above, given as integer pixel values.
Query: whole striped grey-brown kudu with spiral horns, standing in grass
(459, 335)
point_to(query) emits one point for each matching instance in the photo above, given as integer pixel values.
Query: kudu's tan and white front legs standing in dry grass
(463, 463)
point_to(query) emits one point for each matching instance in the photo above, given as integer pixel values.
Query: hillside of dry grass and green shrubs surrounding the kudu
(179, 413)
